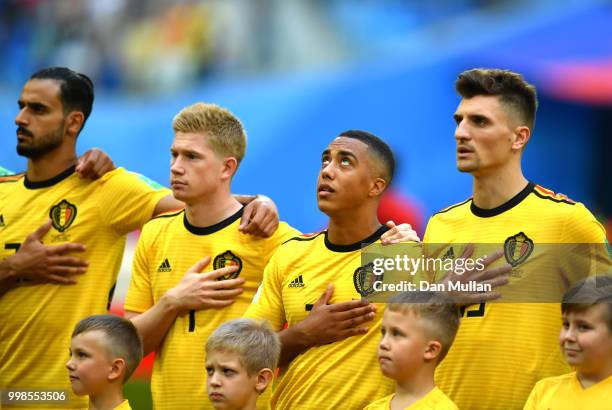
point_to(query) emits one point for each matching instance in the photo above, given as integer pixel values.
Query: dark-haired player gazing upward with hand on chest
(330, 369)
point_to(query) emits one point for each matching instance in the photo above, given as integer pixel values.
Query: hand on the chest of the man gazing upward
(328, 323)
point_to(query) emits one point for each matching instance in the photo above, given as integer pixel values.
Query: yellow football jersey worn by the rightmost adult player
(502, 349)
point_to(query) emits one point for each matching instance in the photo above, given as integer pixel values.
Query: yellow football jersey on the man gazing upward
(341, 375)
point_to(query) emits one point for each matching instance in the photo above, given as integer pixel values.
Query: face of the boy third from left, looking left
(403, 345)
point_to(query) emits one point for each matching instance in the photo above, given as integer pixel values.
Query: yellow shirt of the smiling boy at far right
(566, 393)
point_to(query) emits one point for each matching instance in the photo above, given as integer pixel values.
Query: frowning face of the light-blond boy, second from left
(228, 384)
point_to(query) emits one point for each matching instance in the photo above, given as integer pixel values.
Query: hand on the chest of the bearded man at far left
(37, 262)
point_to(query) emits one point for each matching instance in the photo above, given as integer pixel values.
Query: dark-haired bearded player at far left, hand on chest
(37, 309)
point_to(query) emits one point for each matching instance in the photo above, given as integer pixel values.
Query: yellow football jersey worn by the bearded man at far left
(38, 319)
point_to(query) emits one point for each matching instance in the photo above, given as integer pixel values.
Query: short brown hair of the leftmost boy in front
(122, 338)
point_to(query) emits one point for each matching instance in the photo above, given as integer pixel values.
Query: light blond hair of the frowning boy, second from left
(256, 344)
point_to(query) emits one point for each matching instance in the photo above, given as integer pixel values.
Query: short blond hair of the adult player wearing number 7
(225, 132)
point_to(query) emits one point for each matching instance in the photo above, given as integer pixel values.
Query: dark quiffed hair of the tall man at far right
(514, 92)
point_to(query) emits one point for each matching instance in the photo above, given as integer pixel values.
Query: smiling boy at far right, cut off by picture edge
(586, 344)
